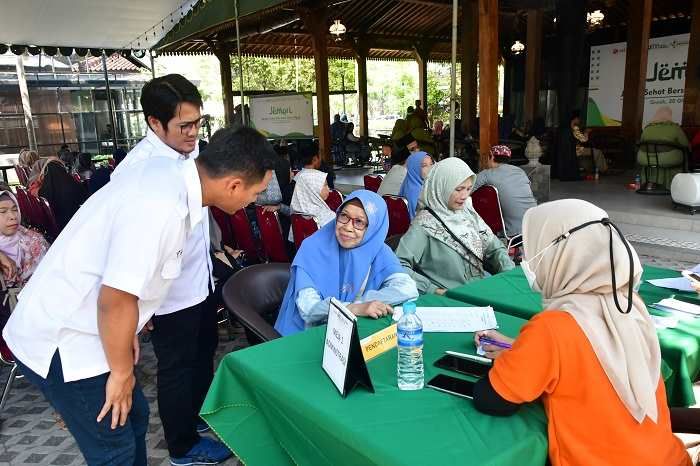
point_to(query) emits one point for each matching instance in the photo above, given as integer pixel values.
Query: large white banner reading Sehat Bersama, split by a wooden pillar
(665, 80)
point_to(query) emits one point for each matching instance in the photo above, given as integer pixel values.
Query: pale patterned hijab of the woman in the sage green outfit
(439, 185)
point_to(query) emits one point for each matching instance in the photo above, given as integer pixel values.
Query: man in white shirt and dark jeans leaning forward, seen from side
(74, 330)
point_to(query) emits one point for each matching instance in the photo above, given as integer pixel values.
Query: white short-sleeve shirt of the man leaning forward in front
(130, 235)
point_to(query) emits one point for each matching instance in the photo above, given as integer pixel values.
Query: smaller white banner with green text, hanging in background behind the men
(288, 116)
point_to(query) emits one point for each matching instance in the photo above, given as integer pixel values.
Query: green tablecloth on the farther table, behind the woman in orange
(510, 293)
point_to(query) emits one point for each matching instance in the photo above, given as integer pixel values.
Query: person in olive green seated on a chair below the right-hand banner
(662, 128)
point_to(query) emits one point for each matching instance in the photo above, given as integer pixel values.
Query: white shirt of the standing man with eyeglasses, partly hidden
(192, 286)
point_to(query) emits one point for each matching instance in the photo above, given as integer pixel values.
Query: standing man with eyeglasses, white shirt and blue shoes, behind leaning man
(184, 329)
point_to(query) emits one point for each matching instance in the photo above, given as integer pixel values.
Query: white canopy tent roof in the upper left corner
(97, 24)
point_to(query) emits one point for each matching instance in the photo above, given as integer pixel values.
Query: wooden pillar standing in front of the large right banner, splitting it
(635, 71)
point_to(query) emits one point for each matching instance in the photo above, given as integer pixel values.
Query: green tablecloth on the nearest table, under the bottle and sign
(272, 404)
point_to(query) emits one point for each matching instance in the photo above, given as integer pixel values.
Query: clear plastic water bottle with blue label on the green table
(410, 345)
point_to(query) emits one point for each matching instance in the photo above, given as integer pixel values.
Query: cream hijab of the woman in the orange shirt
(575, 277)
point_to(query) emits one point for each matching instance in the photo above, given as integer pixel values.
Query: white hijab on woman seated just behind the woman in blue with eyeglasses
(309, 198)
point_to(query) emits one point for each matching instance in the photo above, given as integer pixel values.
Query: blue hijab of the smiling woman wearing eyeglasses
(333, 271)
